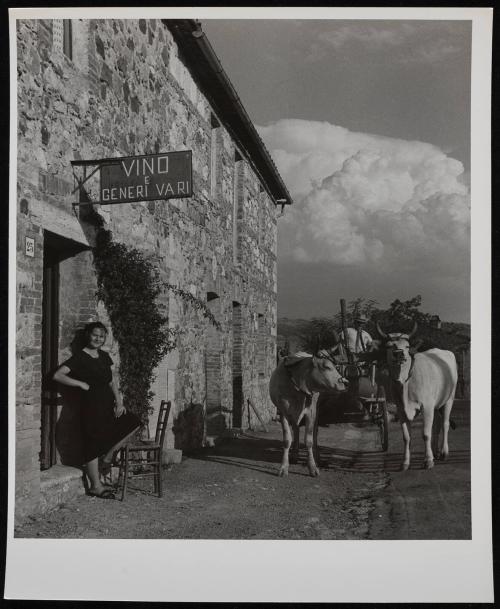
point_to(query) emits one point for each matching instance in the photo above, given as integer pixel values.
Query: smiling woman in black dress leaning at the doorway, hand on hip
(106, 424)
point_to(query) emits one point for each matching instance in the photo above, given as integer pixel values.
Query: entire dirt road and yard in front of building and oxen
(232, 491)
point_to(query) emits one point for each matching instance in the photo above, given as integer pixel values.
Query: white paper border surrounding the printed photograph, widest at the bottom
(284, 571)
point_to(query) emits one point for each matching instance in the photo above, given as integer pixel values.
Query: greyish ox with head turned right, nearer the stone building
(294, 388)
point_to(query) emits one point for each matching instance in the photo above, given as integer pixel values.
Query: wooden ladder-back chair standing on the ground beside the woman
(146, 454)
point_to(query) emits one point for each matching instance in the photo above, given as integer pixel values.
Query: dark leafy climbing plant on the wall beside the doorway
(130, 286)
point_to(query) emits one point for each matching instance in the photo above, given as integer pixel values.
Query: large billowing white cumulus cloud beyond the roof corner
(366, 200)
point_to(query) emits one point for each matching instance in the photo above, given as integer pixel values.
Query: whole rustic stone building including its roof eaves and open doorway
(101, 89)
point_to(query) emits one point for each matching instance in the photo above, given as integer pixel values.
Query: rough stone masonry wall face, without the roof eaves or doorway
(126, 92)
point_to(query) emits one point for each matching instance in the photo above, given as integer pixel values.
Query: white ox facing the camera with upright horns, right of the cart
(423, 382)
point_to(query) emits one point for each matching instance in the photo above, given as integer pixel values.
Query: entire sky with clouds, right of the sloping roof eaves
(369, 125)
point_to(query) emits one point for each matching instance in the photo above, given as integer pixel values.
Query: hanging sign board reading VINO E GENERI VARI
(146, 178)
